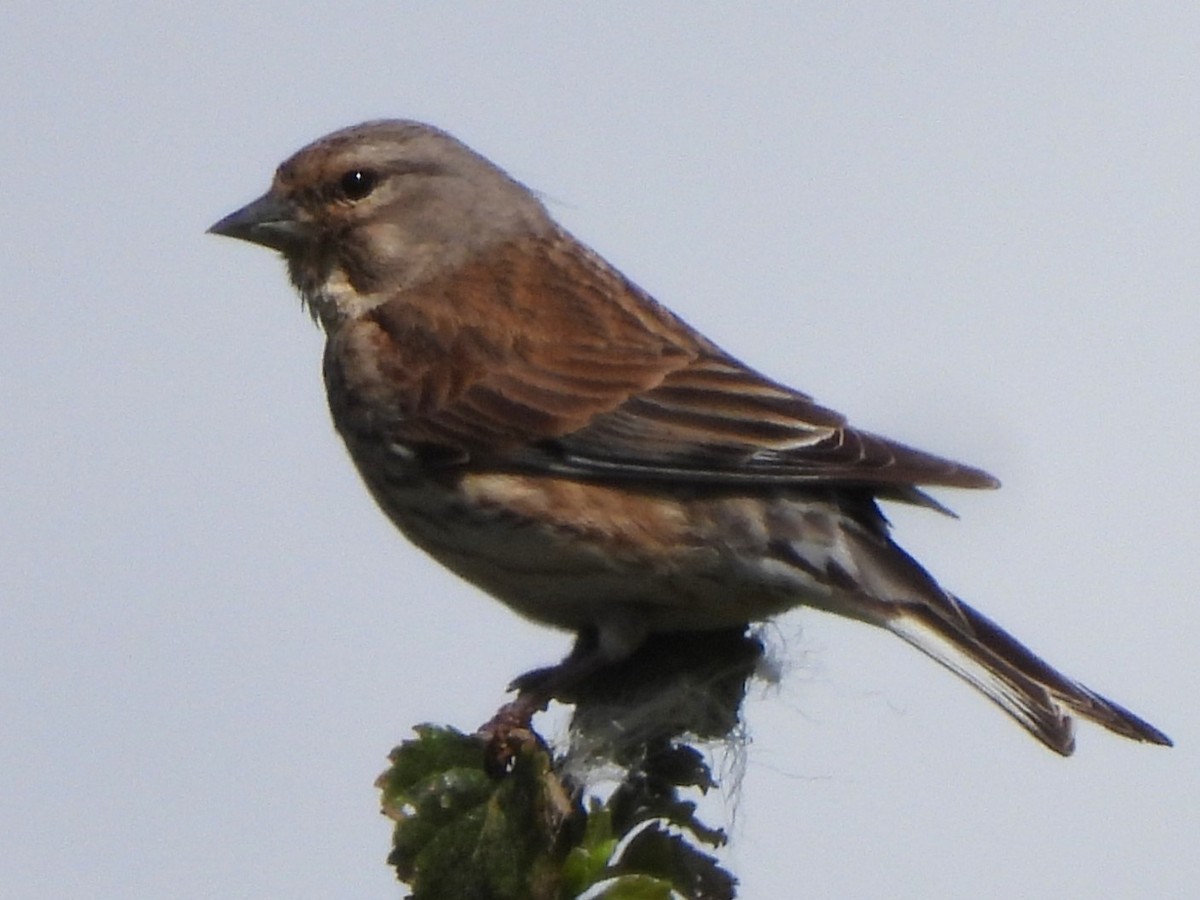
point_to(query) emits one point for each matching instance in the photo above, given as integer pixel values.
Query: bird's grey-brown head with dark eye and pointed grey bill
(386, 203)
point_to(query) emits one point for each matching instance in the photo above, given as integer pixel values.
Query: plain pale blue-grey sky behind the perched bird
(971, 230)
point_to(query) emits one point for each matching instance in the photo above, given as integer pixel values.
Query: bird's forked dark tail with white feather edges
(1025, 687)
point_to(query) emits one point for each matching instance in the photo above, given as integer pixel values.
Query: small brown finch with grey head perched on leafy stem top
(542, 427)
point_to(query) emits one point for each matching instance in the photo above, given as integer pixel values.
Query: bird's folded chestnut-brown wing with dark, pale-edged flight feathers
(565, 367)
